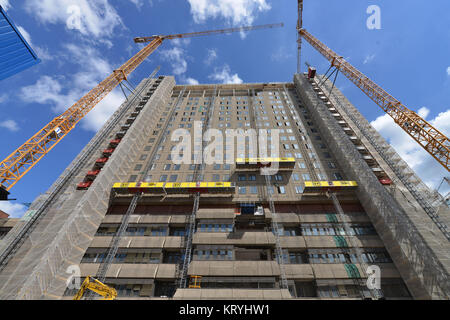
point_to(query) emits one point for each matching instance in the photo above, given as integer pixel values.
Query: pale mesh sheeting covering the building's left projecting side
(69, 221)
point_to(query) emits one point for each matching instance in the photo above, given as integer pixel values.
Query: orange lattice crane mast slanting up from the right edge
(431, 139)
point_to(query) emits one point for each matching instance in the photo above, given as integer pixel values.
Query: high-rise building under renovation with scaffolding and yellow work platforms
(341, 207)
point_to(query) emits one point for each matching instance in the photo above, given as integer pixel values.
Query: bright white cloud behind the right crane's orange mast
(426, 167)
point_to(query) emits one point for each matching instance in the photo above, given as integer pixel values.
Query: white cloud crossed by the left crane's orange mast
(61, 92)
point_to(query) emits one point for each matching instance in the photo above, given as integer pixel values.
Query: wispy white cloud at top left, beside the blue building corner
(95, 18)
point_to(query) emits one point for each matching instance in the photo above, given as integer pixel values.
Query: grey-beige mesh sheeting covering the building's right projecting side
(413, 246)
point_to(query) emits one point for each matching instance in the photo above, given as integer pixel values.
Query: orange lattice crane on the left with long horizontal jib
(18, 163)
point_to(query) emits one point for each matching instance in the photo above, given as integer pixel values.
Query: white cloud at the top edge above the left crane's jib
(235, 12)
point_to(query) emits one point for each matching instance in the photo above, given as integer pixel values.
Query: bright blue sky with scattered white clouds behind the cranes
(408, 56)
